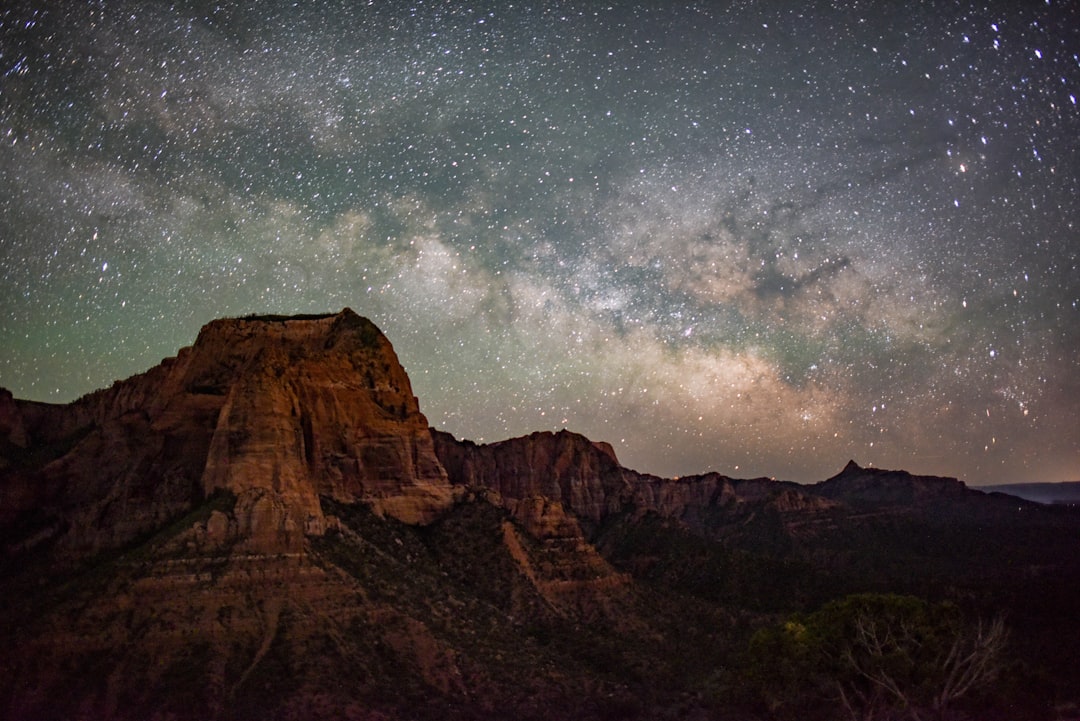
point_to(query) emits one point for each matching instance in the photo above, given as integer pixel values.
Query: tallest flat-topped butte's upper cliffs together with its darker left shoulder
(278, 412)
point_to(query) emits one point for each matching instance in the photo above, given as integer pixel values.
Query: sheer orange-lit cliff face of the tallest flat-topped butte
(315, 407)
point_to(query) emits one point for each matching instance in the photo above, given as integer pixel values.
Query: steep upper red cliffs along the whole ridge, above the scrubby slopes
(282, 412)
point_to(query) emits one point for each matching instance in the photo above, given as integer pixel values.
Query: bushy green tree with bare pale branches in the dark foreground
(880, 658)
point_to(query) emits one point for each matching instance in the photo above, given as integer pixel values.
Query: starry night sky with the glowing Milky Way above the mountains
(757, 238)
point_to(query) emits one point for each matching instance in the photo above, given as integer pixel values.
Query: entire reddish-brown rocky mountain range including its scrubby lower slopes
(265, 527)
